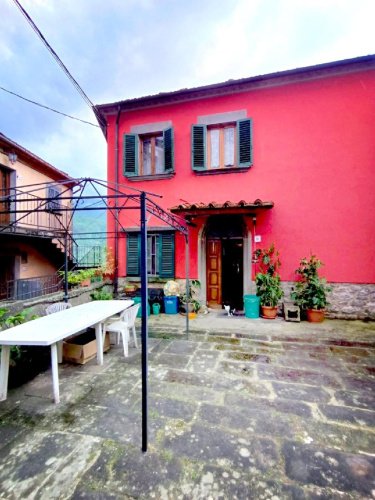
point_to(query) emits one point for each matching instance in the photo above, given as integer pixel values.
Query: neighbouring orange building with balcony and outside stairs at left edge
(30, 244)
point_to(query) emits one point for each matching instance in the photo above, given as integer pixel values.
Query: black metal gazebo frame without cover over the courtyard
(116, 199)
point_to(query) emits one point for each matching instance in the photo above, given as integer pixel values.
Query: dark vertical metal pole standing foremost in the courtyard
(144, 302)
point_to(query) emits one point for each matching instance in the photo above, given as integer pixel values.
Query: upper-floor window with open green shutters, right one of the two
(222, 146)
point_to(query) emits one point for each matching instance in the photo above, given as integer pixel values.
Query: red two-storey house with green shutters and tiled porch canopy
(285, 158)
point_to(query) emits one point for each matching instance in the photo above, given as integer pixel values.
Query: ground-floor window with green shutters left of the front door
(160, 254)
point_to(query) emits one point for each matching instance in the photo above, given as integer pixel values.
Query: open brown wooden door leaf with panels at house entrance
(213, 258)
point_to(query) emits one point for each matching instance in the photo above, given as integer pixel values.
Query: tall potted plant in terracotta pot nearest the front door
(267, 281)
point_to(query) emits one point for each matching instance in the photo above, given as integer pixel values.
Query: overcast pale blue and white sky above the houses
(119, 49)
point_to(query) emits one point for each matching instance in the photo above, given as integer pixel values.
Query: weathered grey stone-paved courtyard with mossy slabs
(241, 409)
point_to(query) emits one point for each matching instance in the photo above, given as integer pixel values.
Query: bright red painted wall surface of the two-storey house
(314, 157)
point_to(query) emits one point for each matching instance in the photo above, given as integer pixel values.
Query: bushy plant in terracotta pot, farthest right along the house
(310, 292)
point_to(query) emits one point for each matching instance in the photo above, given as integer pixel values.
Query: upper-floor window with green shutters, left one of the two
(149, 154)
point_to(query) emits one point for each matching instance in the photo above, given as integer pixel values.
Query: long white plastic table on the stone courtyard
(54, 328)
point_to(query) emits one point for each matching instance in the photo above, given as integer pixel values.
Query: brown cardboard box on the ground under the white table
(81, 348)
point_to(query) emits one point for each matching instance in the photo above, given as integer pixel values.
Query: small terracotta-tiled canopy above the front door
(191, 210)
